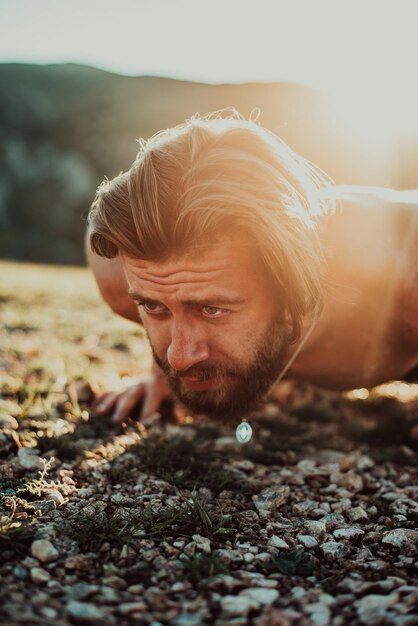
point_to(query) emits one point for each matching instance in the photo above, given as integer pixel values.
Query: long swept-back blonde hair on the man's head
(214, 175)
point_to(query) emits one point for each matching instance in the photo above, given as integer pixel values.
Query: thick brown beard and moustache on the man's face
(241, 388)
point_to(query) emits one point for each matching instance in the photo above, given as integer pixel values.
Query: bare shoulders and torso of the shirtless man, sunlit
(367, 332)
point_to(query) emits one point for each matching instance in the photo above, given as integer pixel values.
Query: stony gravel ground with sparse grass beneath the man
(313, 522)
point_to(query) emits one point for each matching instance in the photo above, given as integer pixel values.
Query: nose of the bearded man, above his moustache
(187, 347)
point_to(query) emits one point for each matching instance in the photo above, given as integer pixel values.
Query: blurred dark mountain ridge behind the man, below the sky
(63, 128)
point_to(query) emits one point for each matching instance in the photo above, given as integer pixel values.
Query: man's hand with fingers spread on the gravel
(146, 396)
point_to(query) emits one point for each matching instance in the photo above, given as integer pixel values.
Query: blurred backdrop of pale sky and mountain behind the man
(81, 81)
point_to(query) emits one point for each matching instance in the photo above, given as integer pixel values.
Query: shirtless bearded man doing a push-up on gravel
(227, 247)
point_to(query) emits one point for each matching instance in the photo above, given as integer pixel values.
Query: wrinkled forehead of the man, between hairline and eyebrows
(232, 263)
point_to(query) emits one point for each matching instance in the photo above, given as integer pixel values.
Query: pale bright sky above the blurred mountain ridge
(369, 47)
